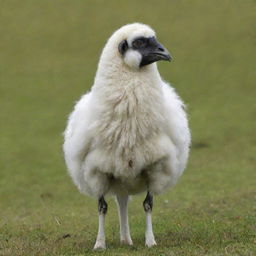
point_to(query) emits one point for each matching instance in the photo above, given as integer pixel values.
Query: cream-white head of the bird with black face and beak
(136, 46)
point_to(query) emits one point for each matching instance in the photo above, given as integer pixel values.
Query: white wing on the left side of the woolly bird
(77, 137)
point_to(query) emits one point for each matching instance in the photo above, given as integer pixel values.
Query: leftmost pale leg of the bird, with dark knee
(102, 208)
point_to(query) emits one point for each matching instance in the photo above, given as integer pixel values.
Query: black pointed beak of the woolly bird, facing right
(154, 52)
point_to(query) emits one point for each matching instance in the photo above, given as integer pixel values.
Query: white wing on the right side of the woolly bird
(176, 122)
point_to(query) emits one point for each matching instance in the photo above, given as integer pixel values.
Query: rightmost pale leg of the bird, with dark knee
(148, 206)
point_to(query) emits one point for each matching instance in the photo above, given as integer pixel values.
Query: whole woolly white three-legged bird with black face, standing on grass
(129, 134)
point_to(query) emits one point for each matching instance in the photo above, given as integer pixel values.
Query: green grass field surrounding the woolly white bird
(48, 58)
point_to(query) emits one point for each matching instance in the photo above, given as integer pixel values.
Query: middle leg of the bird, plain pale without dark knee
(125, 236)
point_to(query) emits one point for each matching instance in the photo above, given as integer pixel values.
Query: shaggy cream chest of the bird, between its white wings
(129, 134)
